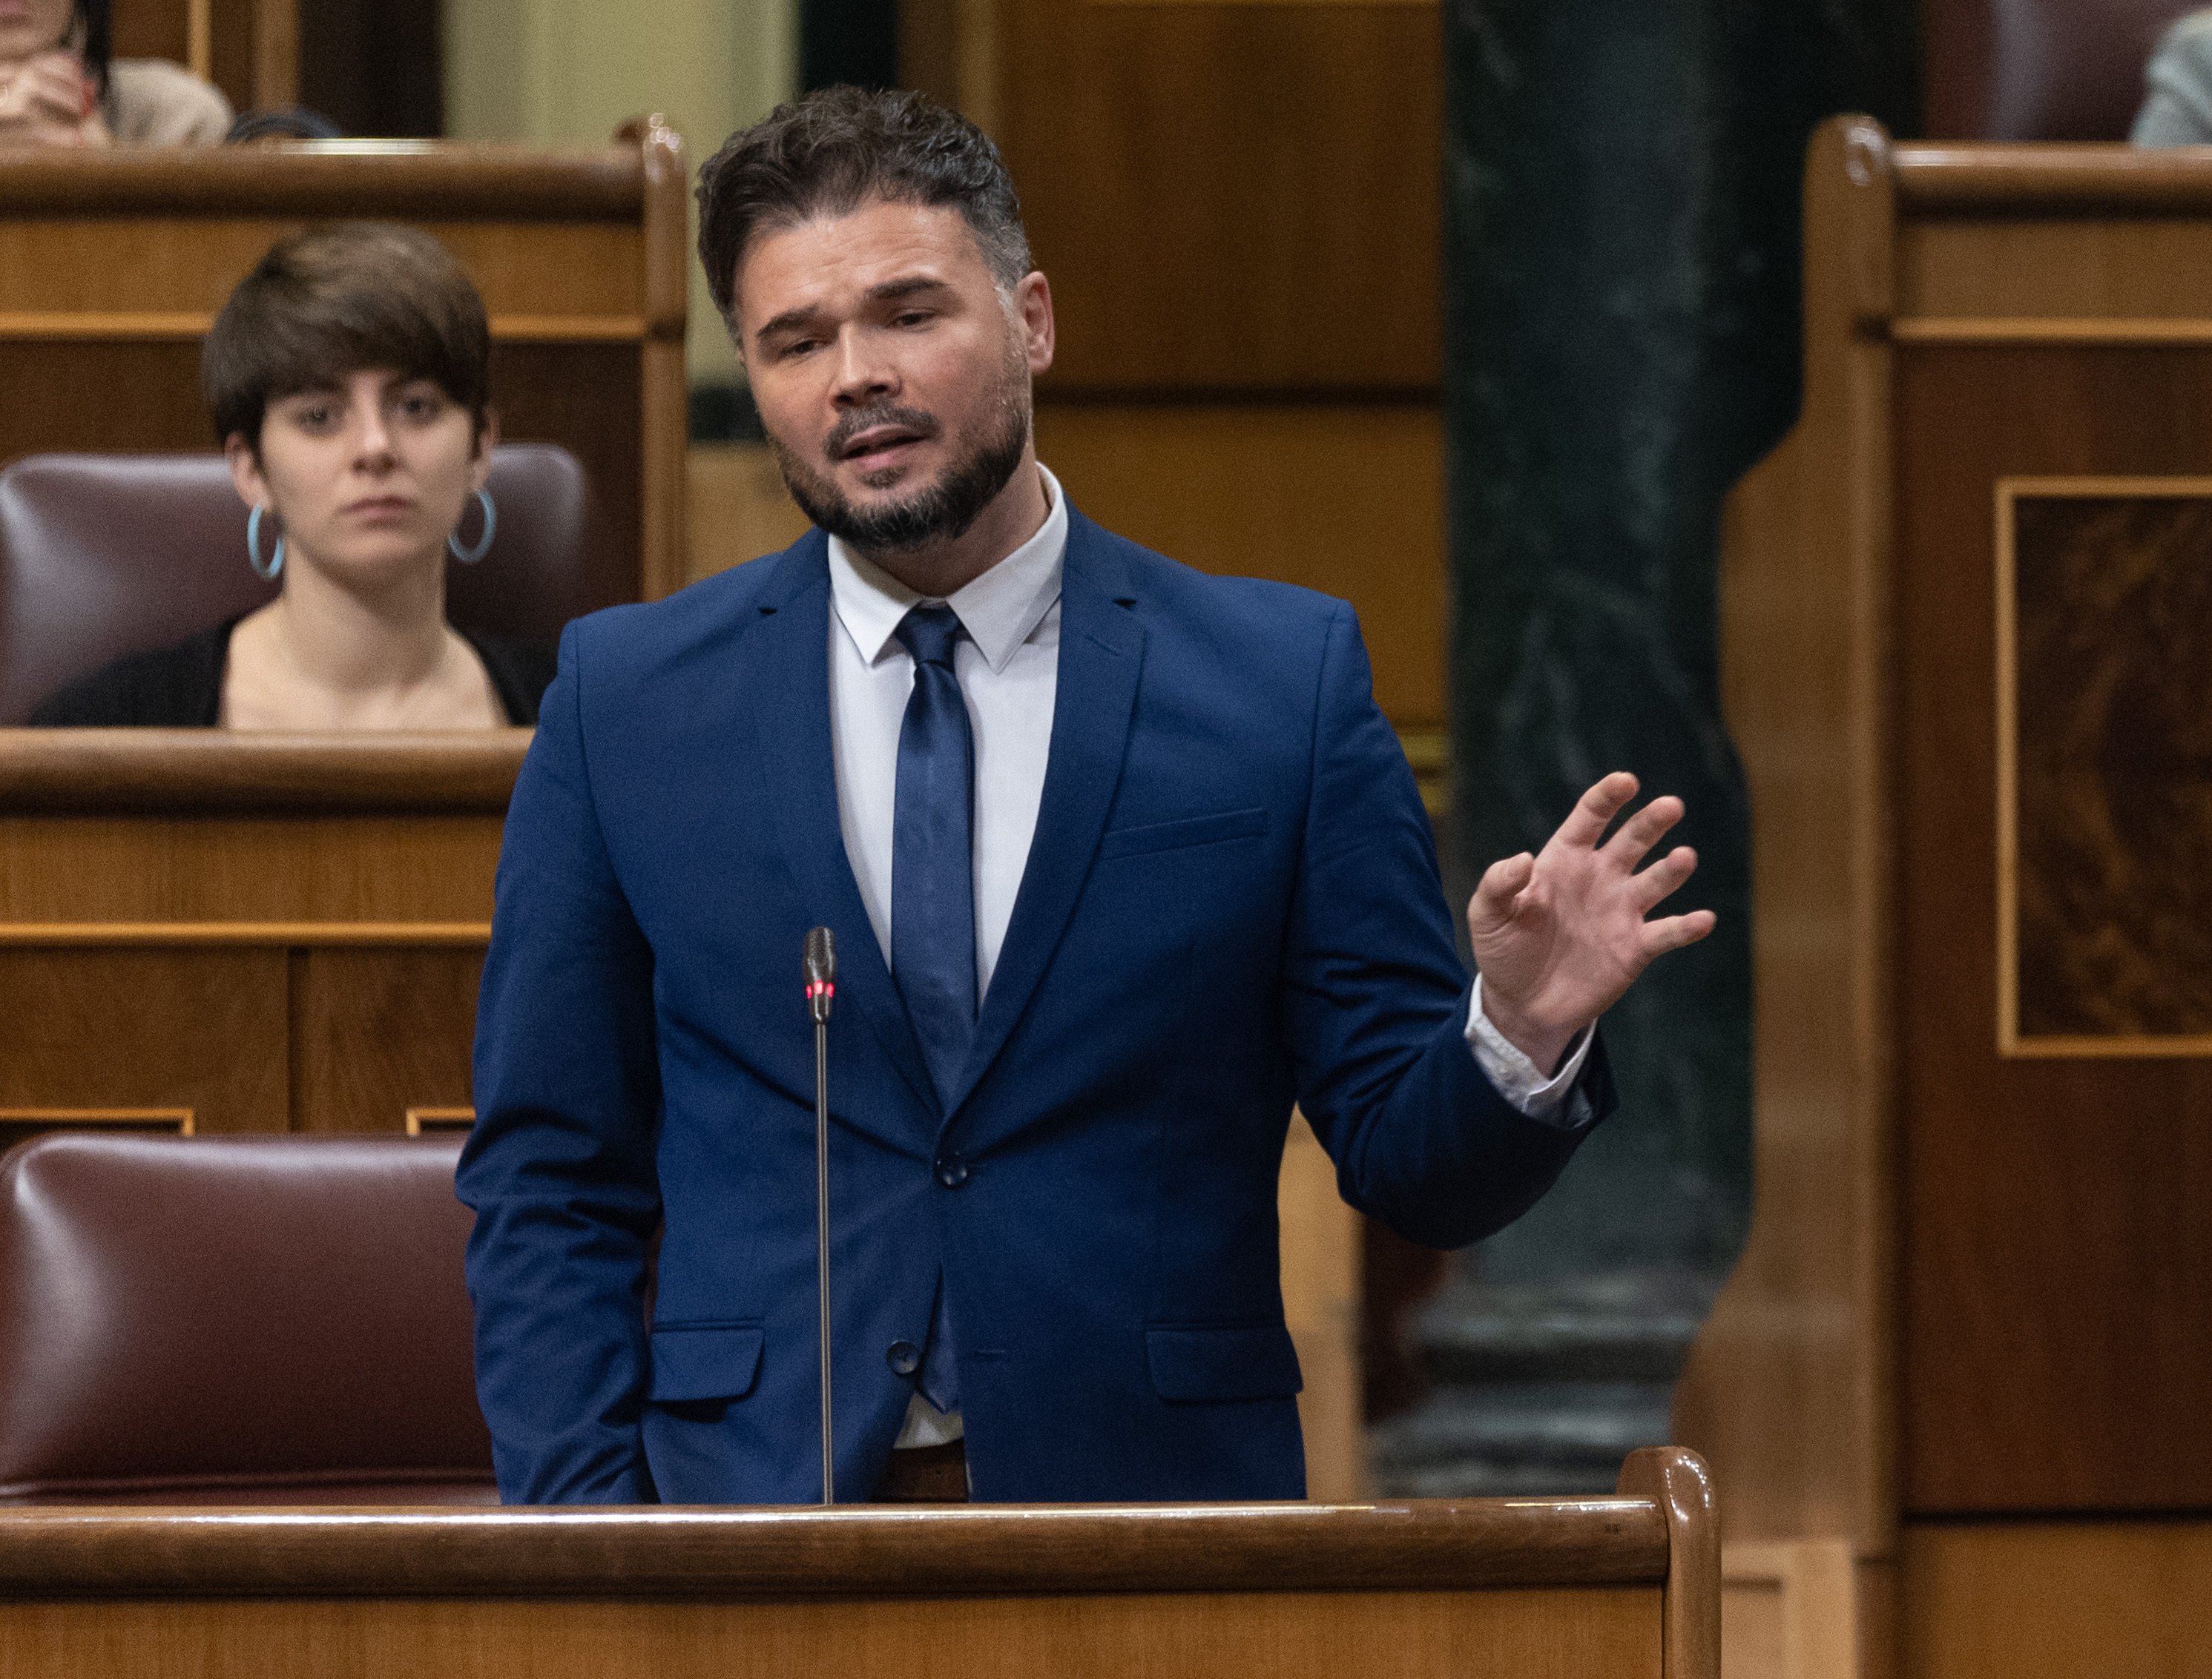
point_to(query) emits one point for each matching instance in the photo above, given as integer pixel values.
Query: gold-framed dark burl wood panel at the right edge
(2049, 917)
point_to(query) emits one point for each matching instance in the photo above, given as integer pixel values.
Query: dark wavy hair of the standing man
(833, 152)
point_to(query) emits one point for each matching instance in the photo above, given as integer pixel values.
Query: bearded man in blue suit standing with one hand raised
(1120, 859)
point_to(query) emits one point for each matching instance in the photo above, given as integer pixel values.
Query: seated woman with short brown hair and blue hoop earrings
(348, 377)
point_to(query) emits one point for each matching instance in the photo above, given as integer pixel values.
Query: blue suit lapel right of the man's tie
(1100, 658)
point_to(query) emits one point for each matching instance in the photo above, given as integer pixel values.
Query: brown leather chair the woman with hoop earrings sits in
(105, 556)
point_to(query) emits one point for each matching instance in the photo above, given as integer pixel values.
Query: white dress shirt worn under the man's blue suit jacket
(1010, 676)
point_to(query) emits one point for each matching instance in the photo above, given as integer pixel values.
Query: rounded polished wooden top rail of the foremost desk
(782, 1554)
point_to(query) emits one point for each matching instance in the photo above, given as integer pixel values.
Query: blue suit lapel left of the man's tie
(793, 709)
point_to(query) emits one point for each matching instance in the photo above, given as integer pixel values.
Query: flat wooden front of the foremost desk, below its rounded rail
(1273, 1636)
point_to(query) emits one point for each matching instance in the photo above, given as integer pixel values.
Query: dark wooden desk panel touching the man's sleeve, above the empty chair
(382, 1032)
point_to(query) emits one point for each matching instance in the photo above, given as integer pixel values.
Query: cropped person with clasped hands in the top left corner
(63, 87)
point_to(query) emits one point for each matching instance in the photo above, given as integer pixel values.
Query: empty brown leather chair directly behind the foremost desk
(236, 1322)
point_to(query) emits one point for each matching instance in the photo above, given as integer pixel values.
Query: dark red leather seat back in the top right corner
(2041, 70)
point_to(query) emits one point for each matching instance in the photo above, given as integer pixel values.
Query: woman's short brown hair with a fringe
(337, 302)
